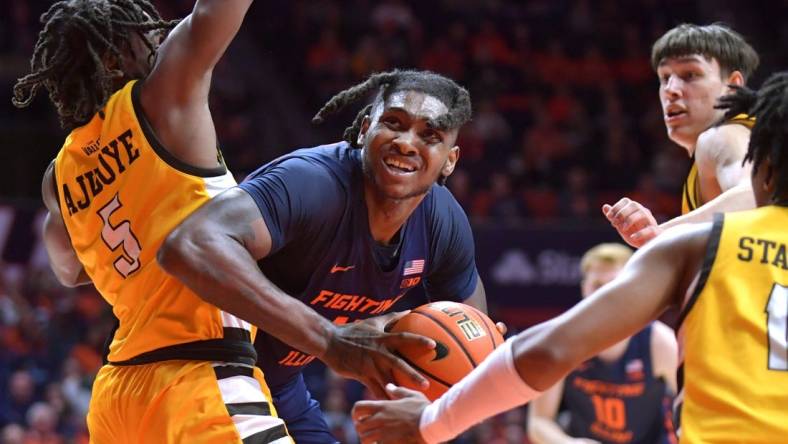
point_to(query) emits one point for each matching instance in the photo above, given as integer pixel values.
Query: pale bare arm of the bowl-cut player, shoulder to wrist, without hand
(724, 180)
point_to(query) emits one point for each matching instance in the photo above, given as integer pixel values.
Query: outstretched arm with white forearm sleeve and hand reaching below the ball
(539, 357)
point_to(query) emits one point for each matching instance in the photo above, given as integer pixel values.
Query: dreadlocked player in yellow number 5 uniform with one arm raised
(142, 155)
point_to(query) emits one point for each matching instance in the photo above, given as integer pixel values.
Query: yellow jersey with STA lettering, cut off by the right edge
(733, 381)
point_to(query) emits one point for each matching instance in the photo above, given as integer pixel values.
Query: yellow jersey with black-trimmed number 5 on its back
(120, 194)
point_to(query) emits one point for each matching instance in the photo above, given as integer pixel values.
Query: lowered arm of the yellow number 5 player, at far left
(62, 257)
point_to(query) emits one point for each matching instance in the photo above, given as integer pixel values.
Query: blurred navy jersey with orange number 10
(621, 401)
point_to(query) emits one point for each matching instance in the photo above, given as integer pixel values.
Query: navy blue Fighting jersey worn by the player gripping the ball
(323, 253)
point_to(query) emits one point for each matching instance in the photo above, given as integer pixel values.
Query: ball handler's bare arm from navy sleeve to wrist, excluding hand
(215, 253)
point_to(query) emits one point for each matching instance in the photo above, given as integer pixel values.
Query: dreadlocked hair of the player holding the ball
(455, 97)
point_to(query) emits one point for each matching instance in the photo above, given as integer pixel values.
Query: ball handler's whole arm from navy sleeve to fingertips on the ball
(215, 252)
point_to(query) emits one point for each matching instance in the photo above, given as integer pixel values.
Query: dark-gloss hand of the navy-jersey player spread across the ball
(362, 351)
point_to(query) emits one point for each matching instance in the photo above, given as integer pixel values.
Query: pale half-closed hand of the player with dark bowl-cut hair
(634, 222)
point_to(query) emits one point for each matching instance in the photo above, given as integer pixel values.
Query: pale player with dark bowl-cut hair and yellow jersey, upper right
(696, 65)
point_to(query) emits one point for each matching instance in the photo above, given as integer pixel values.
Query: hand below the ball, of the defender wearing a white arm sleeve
(395, 421)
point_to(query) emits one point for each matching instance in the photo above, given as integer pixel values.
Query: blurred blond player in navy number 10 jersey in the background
(622, 395)
